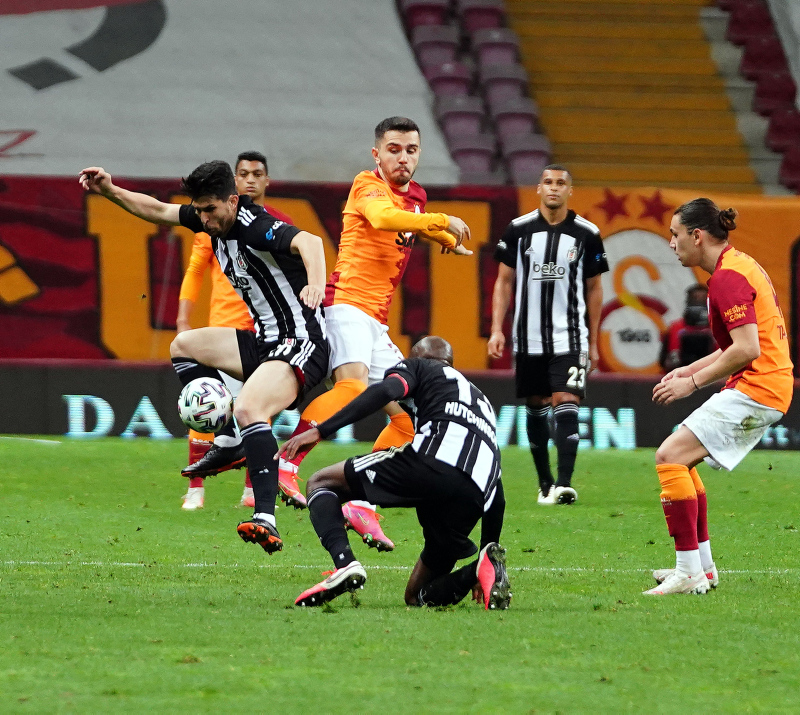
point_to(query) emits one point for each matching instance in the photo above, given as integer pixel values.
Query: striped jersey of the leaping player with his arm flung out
(256, 257)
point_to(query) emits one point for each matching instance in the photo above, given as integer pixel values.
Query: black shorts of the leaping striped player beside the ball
(308, 358)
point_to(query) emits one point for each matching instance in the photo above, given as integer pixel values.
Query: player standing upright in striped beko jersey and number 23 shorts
(551, 260)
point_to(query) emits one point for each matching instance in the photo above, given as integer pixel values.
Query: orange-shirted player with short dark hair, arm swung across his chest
(384, 214)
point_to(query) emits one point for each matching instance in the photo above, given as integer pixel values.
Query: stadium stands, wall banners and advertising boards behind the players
(132, 86)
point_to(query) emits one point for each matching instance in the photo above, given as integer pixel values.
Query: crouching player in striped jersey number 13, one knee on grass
(450, 472)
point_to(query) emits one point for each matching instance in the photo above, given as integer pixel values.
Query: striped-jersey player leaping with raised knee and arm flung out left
(279, 272)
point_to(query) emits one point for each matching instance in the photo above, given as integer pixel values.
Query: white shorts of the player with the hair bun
(729, 424)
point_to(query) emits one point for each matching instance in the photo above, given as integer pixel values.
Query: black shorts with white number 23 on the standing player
(542, 375)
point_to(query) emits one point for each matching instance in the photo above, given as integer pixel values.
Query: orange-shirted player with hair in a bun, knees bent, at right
(754, 356)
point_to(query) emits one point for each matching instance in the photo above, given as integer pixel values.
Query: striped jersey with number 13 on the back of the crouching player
(455, 422)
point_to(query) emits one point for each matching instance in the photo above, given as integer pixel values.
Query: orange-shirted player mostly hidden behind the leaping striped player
(227, 310)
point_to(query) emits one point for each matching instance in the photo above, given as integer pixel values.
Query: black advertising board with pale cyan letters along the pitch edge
(86, 399)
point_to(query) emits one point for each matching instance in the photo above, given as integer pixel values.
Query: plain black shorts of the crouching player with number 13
(448, 503)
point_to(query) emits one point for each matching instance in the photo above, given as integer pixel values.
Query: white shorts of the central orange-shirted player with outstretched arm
(354, 336)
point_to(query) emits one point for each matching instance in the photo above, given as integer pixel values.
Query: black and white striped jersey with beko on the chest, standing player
(552, 265)
